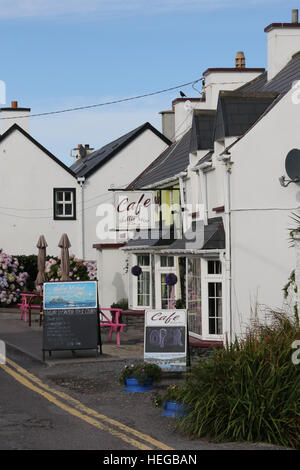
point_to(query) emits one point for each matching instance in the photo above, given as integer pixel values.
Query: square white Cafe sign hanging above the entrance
(134, 210)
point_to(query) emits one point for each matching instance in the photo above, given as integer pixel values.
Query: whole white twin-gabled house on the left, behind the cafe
(41, 195)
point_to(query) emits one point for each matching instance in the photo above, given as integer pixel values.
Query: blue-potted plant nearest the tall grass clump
(170, 401)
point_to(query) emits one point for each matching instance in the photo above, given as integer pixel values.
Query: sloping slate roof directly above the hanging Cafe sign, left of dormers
(169, 163)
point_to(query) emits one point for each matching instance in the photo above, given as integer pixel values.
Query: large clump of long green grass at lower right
(248, 391)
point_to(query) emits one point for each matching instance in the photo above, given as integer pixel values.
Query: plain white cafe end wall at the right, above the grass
(261, 257)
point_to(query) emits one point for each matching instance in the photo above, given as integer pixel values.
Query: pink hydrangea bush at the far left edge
(12, 279)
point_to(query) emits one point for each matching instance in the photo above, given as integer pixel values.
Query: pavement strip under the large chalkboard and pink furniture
(18, 335)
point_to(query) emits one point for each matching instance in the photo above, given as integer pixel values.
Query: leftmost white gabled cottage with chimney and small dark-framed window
(38, 193)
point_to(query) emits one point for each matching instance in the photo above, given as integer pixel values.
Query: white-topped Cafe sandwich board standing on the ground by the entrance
(166, 338)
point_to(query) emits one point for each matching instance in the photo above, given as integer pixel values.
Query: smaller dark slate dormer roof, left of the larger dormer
(202, 130)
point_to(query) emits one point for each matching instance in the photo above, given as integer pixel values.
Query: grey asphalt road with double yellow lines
(82, 407)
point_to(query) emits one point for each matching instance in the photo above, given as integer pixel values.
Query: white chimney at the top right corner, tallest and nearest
(283, 42)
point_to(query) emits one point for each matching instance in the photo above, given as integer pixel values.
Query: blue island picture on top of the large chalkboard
(70, 295)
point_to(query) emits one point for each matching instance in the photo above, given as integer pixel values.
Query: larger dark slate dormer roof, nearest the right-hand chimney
(238, 112)
